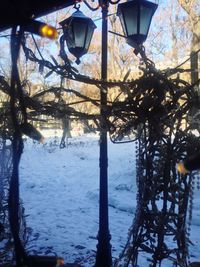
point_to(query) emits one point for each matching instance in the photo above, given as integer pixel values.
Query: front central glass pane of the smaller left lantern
(80, 30)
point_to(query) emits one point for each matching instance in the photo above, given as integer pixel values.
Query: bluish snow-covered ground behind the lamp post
(60, 191)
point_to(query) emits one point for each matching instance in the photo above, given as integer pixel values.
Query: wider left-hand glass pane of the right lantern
(130, 18)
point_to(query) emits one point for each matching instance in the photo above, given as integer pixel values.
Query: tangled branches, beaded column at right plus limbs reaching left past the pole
(154, 110)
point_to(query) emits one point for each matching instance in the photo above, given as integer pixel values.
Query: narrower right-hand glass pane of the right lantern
(146, 14)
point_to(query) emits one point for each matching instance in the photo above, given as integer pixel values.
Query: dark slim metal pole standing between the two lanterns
(103, 257)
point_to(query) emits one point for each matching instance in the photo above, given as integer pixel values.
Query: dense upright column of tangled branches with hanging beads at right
(157, 111)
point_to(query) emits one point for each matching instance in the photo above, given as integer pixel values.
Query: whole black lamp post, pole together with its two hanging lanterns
(135, 17)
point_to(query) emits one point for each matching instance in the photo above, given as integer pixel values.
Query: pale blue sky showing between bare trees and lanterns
(158, 43)
